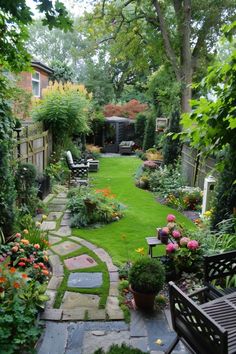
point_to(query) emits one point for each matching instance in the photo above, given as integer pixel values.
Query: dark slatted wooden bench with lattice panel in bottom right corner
(207, 329)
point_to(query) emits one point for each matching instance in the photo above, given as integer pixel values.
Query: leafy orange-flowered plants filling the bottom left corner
(20, 300)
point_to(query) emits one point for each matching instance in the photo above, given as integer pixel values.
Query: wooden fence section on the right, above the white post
(195, 169)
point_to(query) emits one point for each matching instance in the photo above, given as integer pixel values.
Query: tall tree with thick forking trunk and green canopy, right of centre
(144, 33)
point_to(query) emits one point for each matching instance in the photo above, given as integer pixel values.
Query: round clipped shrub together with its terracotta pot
(146, 278)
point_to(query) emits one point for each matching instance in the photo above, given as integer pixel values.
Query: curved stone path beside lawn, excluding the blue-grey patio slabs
(74, 305)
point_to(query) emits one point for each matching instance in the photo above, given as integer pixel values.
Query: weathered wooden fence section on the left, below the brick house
(32, 146)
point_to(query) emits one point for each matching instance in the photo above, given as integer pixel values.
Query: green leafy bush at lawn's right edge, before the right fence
(166, 180)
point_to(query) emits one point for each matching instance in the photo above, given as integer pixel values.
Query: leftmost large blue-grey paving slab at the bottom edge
(55, 338)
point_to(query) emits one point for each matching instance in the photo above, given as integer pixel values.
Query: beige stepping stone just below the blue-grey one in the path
(73, 300)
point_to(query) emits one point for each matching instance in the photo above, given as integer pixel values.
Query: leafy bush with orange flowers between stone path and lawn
(89, 207)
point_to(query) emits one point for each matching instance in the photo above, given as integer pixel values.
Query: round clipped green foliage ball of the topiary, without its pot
(147, 276)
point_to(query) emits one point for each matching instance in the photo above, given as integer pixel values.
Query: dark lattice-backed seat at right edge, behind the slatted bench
(218, 271)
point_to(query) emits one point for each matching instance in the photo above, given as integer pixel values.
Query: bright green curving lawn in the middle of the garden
(142, 215)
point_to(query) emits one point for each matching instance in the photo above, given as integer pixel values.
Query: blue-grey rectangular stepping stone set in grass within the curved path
(85, 280)
